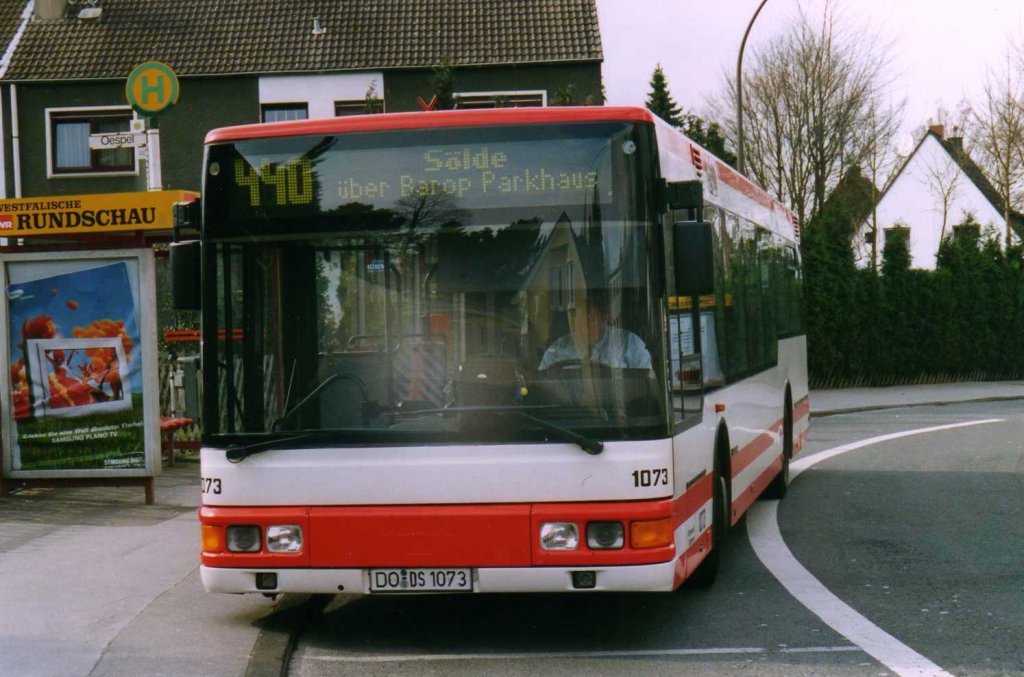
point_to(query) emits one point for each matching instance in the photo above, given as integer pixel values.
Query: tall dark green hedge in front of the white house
(964, 321)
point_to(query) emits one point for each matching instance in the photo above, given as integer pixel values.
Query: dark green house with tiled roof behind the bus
(65, 64)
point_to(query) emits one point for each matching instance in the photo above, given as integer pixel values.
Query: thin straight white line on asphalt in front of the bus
(423, 658)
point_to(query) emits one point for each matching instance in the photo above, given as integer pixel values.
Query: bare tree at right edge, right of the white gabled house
(999, 136)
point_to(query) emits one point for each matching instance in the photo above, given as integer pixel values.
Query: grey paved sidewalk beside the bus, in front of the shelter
(95, 582)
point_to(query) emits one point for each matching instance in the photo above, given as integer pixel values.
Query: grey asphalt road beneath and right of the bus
(922, 536)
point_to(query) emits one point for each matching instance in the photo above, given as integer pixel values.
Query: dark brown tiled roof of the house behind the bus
(222, 37)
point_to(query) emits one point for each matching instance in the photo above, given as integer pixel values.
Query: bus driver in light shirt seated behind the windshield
(592, 338)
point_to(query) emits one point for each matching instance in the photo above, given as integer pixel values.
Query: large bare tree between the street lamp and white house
(814, 99)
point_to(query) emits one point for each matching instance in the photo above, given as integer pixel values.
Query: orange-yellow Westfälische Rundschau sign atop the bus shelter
(112, 213)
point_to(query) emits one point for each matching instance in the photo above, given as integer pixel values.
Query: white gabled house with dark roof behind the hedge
(937, 188)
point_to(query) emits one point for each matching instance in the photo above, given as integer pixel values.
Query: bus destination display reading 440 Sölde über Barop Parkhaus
(470, 177)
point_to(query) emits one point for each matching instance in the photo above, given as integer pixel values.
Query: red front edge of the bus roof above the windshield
(430, 120)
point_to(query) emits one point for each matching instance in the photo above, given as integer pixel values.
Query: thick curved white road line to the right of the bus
(762, 527)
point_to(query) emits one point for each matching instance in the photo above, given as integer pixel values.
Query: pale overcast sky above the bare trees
(941, 49)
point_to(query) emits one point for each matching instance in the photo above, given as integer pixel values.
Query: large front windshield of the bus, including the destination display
(409, 288)
